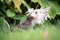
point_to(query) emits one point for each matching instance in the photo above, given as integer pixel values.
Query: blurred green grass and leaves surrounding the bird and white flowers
(13, 12)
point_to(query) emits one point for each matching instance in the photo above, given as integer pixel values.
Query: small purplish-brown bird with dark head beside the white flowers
(26, 24)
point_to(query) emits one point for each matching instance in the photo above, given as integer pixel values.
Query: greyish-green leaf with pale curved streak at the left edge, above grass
(4, 25)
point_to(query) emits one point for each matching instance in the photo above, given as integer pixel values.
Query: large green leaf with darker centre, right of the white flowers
(55, 9)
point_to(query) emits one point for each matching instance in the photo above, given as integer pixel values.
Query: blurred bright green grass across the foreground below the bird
(33, 34)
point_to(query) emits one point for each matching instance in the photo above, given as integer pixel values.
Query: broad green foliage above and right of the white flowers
(55, 7)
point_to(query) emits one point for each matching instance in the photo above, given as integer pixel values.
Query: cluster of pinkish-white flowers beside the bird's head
(39, 15)
